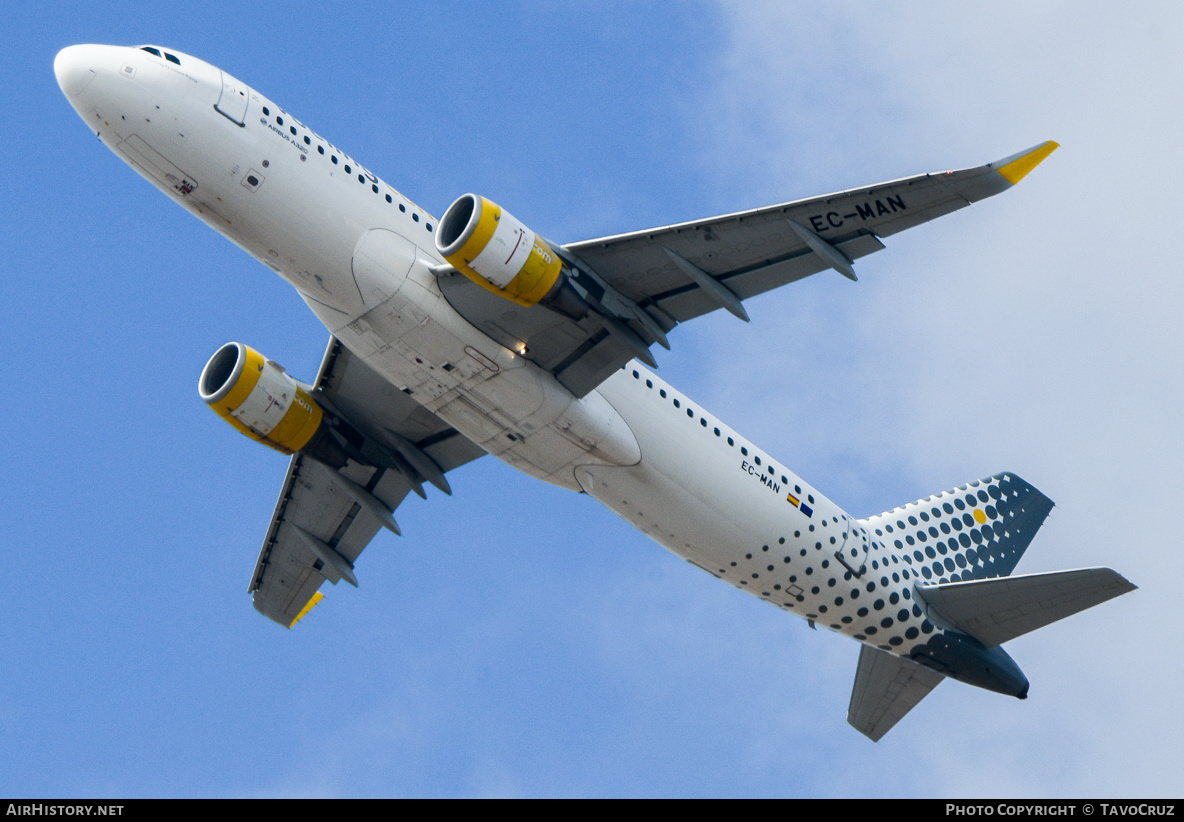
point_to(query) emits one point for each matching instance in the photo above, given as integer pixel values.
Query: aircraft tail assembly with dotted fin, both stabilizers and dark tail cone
(966, 543)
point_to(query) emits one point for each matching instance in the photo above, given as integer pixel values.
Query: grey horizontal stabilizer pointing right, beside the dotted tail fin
(996, 611)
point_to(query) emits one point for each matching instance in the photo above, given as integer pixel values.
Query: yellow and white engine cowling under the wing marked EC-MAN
(492, 248)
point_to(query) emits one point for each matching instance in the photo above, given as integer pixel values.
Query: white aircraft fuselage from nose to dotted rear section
(321, 221)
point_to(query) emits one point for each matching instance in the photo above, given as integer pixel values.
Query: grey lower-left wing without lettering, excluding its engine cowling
(319, 528)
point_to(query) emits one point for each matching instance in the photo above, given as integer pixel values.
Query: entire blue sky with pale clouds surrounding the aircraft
(520, 640)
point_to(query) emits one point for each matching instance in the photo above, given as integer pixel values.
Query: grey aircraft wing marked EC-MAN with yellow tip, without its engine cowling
(680, 272)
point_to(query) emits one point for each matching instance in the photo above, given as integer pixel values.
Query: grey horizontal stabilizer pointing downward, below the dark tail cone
(886, 689)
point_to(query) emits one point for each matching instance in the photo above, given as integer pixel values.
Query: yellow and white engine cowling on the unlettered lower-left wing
(254, 395)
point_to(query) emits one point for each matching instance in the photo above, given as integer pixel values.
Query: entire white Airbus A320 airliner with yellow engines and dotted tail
(472, 335)
